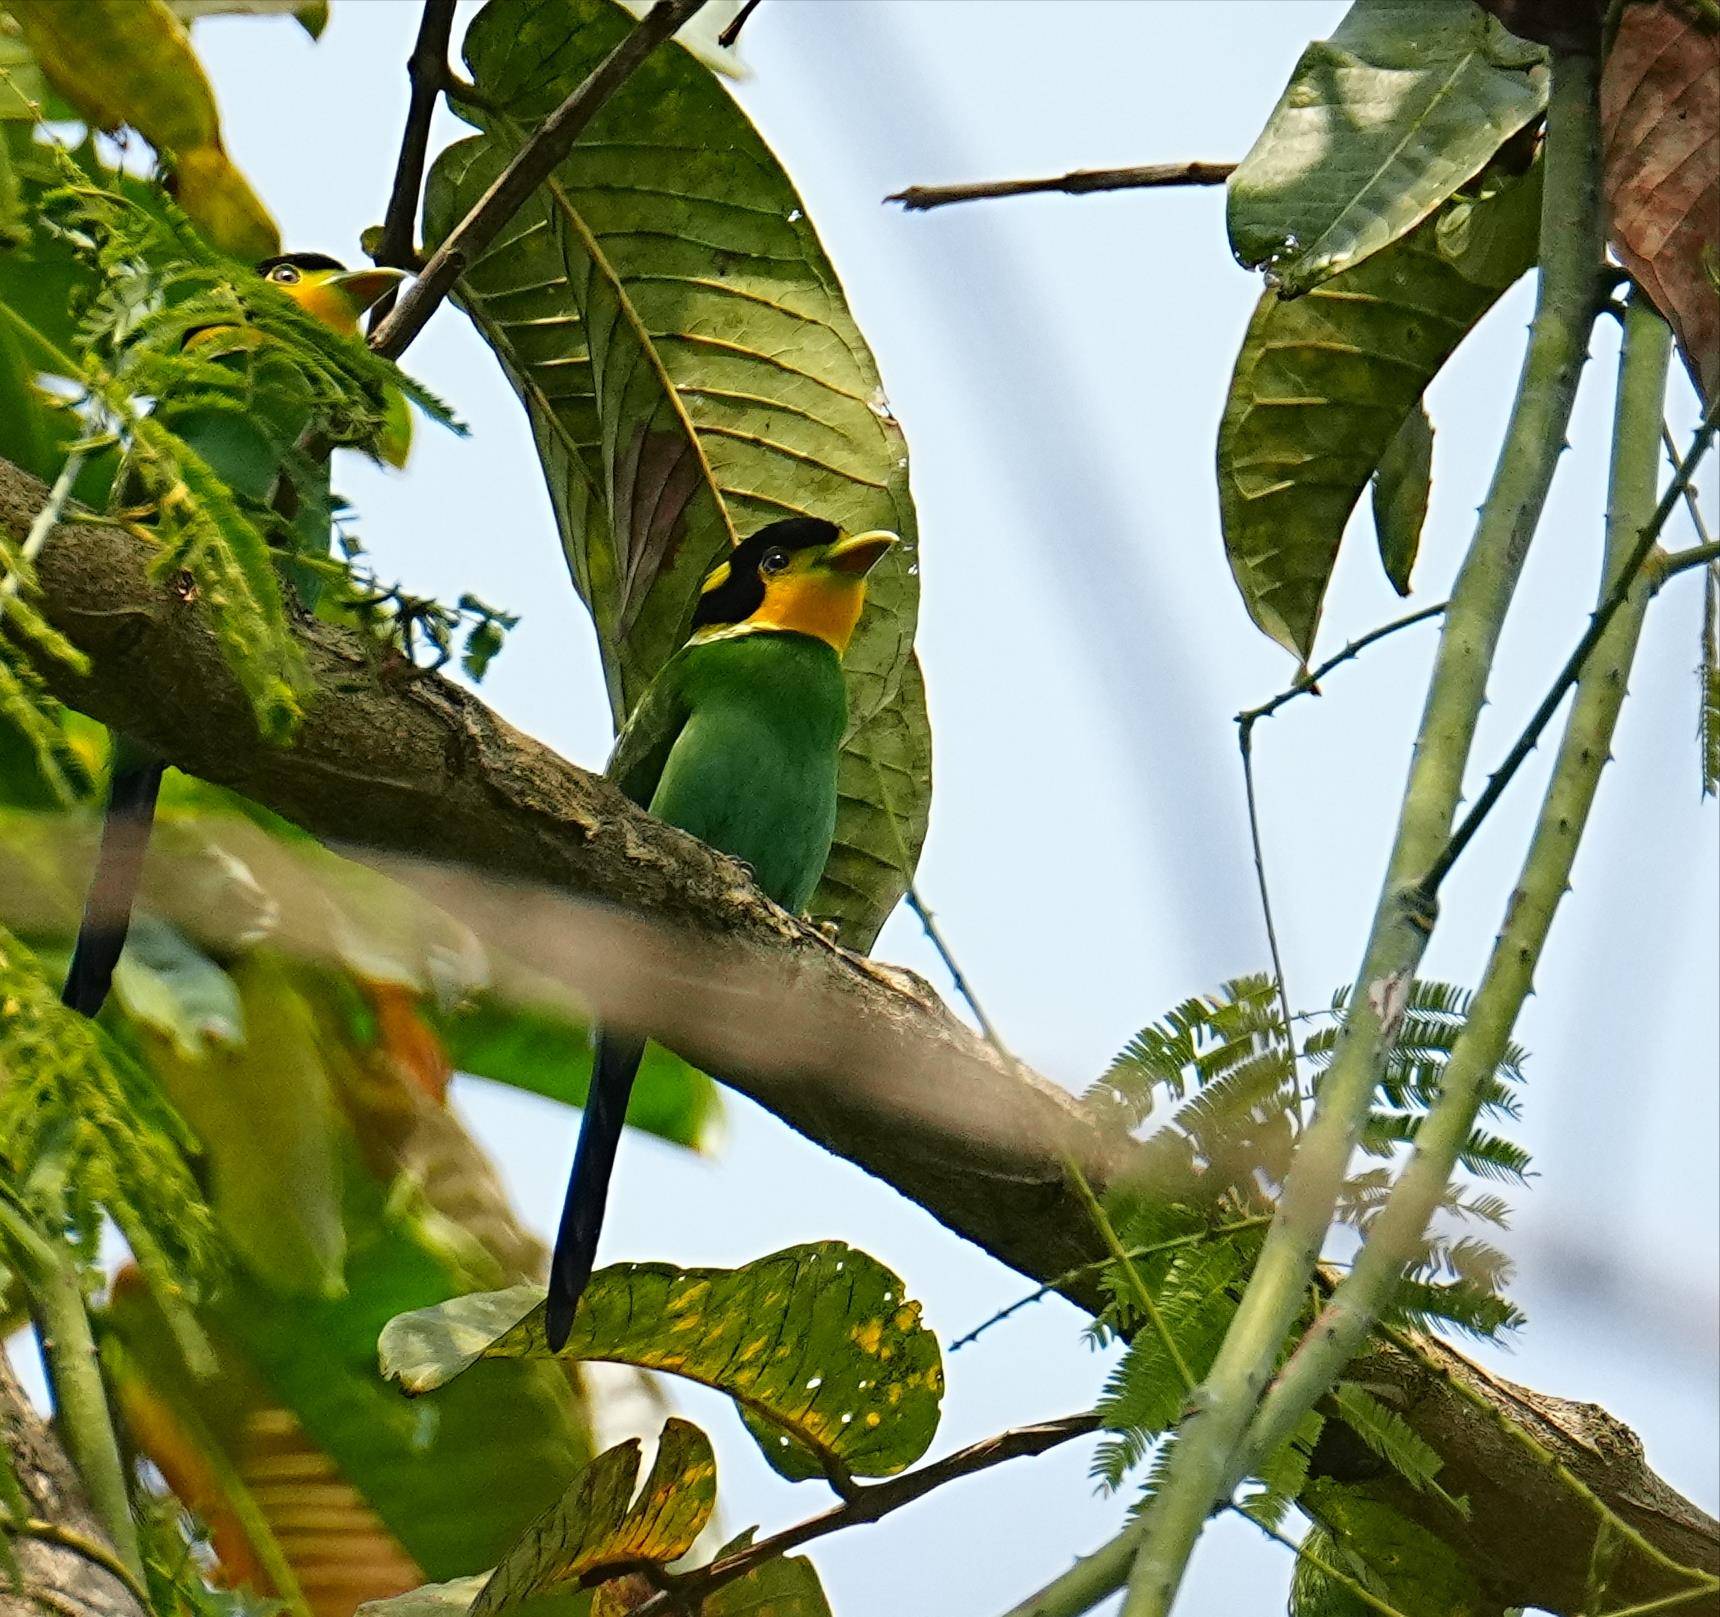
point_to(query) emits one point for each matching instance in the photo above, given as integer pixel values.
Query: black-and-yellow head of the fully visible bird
(801, 577)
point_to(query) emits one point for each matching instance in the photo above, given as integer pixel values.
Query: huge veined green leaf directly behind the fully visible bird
(680, 341)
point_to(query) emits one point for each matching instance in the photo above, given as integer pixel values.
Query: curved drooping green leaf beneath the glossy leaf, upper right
(1324, 384)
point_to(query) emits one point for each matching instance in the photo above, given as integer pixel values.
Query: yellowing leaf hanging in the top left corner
(132, 63)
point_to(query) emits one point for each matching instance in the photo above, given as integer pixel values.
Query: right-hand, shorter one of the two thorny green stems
(1399, 1231)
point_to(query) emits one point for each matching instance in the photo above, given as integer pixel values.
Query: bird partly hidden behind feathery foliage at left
(245, 455)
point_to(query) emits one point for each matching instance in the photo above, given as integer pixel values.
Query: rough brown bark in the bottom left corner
(54, 1577)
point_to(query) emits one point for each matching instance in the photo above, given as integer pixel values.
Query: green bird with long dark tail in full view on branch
(735, 742)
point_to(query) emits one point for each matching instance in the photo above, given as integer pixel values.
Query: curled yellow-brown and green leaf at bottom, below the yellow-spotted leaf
(599, 1523)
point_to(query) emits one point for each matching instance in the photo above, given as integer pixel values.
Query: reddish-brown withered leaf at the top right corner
(1661, 109)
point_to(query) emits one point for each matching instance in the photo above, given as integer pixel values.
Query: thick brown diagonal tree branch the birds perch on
(421, 768)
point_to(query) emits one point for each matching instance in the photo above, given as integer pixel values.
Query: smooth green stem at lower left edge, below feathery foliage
(80, 1399)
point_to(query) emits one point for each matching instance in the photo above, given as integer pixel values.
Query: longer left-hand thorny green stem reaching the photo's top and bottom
(1208, 1441)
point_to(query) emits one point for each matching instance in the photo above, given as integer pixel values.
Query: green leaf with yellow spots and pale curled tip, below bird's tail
(818, 1339)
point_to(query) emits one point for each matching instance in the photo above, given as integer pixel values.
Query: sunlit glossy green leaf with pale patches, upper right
(1379, 126)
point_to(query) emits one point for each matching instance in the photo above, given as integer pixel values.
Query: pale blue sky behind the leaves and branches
(1060, 367)
